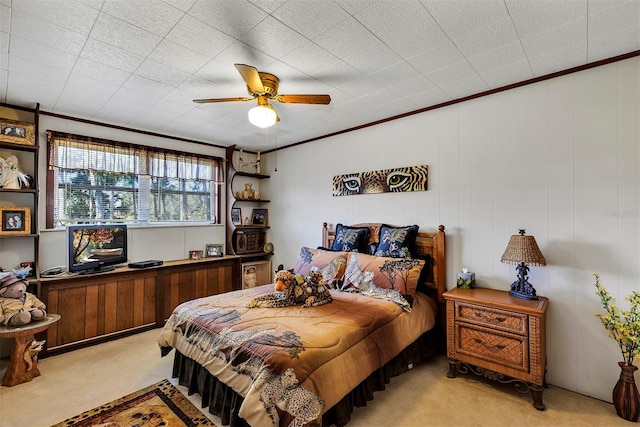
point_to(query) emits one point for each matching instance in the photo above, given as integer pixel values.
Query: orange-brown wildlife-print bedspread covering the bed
(298, 360)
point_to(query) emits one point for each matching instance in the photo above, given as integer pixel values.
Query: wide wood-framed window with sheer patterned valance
(98, 180)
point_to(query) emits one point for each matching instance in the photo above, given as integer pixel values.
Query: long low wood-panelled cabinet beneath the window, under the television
(105, 306)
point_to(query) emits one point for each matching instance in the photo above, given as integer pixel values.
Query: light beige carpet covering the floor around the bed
(86, 378)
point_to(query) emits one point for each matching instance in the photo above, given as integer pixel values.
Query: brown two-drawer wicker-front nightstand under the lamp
(498, 336)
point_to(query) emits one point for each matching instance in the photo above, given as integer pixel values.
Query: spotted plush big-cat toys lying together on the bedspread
(291, 289)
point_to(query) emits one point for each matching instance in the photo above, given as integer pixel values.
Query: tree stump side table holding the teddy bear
(23, 366)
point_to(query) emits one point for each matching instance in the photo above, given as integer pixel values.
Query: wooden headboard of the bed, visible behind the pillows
(431, 243)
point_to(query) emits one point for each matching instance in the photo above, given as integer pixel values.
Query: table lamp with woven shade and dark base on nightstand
(523, 250)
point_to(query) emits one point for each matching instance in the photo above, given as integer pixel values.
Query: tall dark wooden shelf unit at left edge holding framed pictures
(19, 138)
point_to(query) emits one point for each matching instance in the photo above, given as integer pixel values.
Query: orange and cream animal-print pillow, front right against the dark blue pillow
(398, 274)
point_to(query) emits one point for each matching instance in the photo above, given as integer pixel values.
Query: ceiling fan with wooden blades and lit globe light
(264, 87)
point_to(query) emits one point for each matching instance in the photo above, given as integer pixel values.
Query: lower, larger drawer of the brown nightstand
(493, 346)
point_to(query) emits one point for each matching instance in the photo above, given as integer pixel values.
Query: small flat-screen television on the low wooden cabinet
(96, 248)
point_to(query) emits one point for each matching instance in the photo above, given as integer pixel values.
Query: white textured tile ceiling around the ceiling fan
(139, 64)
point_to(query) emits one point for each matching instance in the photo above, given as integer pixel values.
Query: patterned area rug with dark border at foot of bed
(158, 405)
